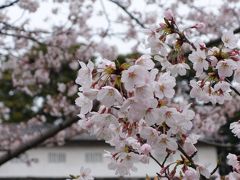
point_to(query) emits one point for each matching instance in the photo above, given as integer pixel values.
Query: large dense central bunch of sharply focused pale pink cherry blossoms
(135, 115)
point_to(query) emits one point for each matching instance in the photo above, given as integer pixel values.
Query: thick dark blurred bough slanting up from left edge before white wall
(36, 141)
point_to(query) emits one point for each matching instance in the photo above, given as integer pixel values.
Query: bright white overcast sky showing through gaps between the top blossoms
(46, 6)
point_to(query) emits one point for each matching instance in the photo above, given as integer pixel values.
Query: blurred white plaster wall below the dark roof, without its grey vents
(75, 158)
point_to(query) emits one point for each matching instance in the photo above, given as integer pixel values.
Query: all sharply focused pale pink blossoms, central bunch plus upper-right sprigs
(131, 104)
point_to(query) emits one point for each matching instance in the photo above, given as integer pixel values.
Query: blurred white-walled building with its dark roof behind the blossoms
(60, 162)
